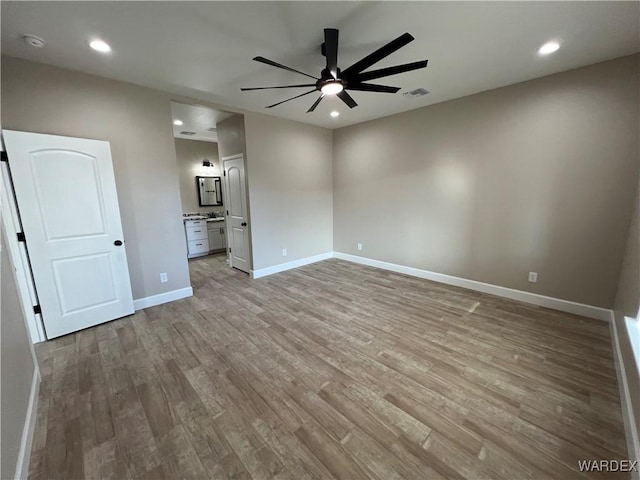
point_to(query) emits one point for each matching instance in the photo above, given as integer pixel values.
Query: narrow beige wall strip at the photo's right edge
(627, 303)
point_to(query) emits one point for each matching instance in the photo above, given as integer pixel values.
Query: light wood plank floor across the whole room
(330, 370)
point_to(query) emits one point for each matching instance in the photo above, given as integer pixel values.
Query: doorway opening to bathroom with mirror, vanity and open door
(214, 211)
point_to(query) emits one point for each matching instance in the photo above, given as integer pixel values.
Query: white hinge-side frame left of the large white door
(19, 257)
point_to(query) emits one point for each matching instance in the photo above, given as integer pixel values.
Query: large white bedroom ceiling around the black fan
(204, 49)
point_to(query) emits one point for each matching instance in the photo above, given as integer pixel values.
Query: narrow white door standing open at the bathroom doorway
(237, 218)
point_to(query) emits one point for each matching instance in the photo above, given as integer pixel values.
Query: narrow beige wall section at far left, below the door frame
(17, 364)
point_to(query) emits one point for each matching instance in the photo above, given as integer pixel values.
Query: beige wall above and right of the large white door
(137, 123)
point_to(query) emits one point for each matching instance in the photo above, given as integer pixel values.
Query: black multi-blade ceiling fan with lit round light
(334, 81)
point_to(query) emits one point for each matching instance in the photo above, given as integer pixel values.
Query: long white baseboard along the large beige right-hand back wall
(526, 297)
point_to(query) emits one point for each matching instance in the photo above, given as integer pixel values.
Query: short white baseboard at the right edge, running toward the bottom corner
(628, 416)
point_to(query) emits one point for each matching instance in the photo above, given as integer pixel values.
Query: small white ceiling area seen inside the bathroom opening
(197, 120)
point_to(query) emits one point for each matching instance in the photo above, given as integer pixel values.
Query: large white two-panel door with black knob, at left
(67, 200)
